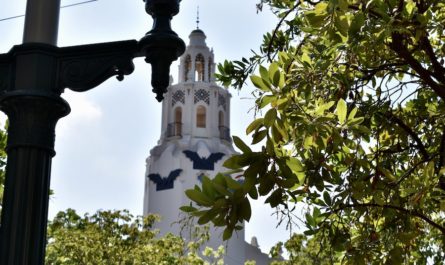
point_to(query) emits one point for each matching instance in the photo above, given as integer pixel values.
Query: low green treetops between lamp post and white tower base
(116, 237)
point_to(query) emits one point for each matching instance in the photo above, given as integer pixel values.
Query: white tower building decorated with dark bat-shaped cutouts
(195, 140)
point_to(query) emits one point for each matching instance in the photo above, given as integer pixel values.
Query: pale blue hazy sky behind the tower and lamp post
(103, 143)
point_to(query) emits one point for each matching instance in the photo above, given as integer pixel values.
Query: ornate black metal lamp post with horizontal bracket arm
(32, 77)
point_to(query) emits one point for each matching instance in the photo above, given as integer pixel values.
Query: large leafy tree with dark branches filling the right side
(352, 93)
